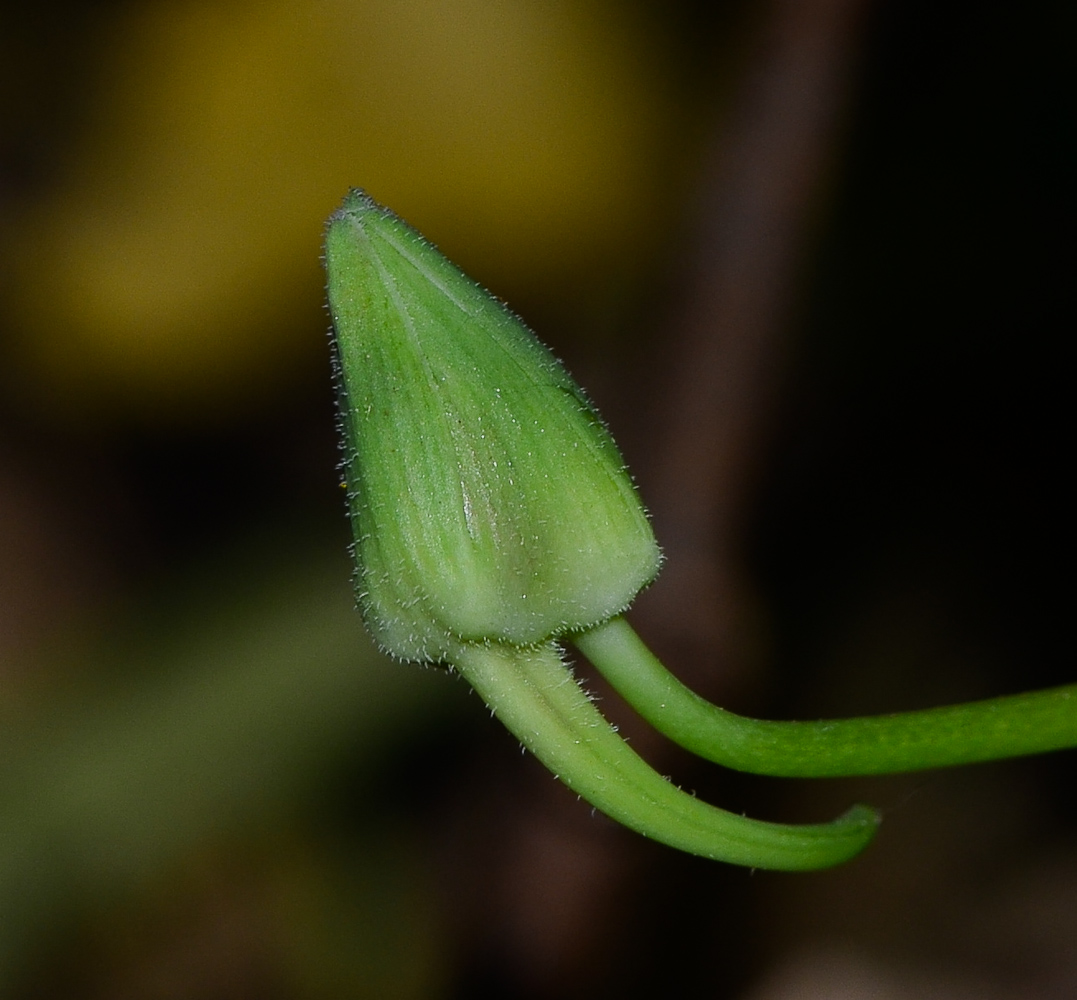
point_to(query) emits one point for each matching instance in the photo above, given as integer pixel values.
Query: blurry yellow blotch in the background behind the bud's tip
(173, 267)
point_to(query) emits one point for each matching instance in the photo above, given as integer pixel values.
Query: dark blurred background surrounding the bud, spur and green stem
(813, 260)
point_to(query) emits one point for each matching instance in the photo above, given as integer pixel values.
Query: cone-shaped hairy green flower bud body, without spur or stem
(488, 501)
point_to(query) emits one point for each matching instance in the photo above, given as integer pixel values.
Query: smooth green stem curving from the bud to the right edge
(914, 741)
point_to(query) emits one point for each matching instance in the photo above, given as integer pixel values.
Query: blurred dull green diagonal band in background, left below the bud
(223, 723)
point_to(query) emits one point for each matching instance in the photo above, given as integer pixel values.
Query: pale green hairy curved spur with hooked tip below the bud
(536, 696)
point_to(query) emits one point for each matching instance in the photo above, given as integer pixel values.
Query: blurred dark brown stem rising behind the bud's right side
(765, 174)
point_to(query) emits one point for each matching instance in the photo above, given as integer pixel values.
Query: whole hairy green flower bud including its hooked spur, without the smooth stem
(493, 515)
